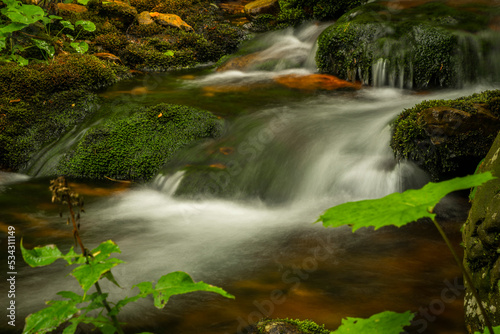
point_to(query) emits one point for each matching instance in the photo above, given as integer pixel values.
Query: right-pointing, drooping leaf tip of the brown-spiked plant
(177, 283)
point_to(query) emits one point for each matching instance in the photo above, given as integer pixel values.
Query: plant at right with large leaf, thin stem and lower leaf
(399, 209)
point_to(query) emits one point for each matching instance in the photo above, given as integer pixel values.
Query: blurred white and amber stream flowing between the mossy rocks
(287, 155)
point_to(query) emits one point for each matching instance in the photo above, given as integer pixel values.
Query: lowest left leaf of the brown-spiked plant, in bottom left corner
(50, 317)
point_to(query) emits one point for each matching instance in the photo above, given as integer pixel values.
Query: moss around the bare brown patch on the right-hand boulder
(461, 152)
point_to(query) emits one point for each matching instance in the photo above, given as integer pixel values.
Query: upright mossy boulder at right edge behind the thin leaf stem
(481, 237)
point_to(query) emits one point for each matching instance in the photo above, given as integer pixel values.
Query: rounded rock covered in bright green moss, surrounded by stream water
(135, 148)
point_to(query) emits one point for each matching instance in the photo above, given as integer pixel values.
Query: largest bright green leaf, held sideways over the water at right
(399, 208)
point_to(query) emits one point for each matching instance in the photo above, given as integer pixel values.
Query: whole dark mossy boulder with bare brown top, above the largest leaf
(448, 138)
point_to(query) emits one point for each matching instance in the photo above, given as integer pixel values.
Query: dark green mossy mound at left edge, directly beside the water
(26, 127)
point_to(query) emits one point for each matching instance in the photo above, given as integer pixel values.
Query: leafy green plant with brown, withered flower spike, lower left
(92, 266)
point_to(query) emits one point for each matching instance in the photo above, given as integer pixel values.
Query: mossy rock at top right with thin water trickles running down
(429, 45)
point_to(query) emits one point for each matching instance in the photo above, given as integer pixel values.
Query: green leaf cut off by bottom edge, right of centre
(381, 323)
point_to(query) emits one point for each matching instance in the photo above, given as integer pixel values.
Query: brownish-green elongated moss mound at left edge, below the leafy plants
(69, 72)
